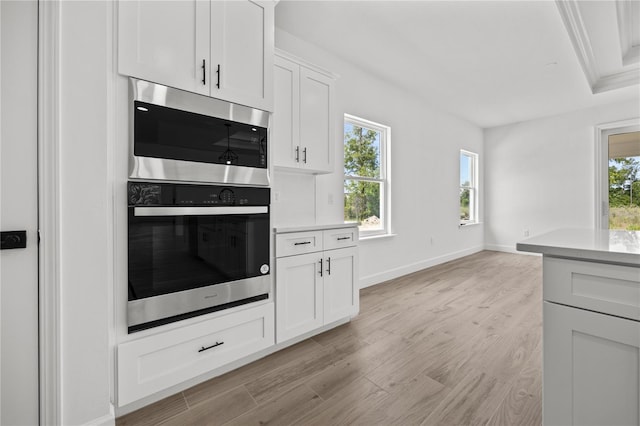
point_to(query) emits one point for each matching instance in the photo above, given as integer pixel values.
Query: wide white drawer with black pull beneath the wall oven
(157, 362)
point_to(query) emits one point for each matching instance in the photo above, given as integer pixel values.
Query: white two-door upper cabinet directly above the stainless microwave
(222, 49)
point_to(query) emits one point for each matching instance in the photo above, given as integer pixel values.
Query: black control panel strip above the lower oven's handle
(171, 194)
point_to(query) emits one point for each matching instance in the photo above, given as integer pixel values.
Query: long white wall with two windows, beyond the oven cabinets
(425, 145)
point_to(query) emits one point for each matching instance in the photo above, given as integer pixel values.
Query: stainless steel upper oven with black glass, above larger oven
(178, 135)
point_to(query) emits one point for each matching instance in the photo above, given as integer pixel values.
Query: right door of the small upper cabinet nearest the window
(316, 121)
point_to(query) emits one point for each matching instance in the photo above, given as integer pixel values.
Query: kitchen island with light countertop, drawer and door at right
(591, 326)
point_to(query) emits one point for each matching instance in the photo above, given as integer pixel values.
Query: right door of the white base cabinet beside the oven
(340, 284)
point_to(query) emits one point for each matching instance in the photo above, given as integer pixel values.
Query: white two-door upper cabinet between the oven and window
(302, 130)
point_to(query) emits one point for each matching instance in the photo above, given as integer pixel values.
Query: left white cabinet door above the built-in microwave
(164, 42)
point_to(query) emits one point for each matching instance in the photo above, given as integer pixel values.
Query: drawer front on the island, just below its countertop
(610, 289)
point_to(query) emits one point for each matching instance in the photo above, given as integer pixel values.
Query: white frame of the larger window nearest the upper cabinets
(384, 178)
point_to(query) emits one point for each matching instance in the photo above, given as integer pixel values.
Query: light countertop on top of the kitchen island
(598, 245)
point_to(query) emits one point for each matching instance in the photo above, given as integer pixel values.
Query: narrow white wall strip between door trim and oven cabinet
(86, 268)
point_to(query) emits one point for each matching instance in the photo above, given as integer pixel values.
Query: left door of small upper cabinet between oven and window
(285, 129)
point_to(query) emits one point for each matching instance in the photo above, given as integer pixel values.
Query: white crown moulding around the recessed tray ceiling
(570, 13)
